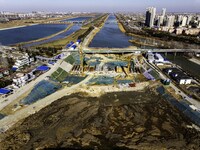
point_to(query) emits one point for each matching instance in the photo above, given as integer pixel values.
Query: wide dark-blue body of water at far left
(29, 33)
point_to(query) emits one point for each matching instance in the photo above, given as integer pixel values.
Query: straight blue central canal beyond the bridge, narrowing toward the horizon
(111, 36)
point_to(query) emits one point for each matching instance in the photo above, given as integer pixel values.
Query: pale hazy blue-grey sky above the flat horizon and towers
(99, 5)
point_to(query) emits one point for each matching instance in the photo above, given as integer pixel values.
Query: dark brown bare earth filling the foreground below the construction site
(131, 120)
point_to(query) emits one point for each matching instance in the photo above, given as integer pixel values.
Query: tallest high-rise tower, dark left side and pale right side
(150, 16)
